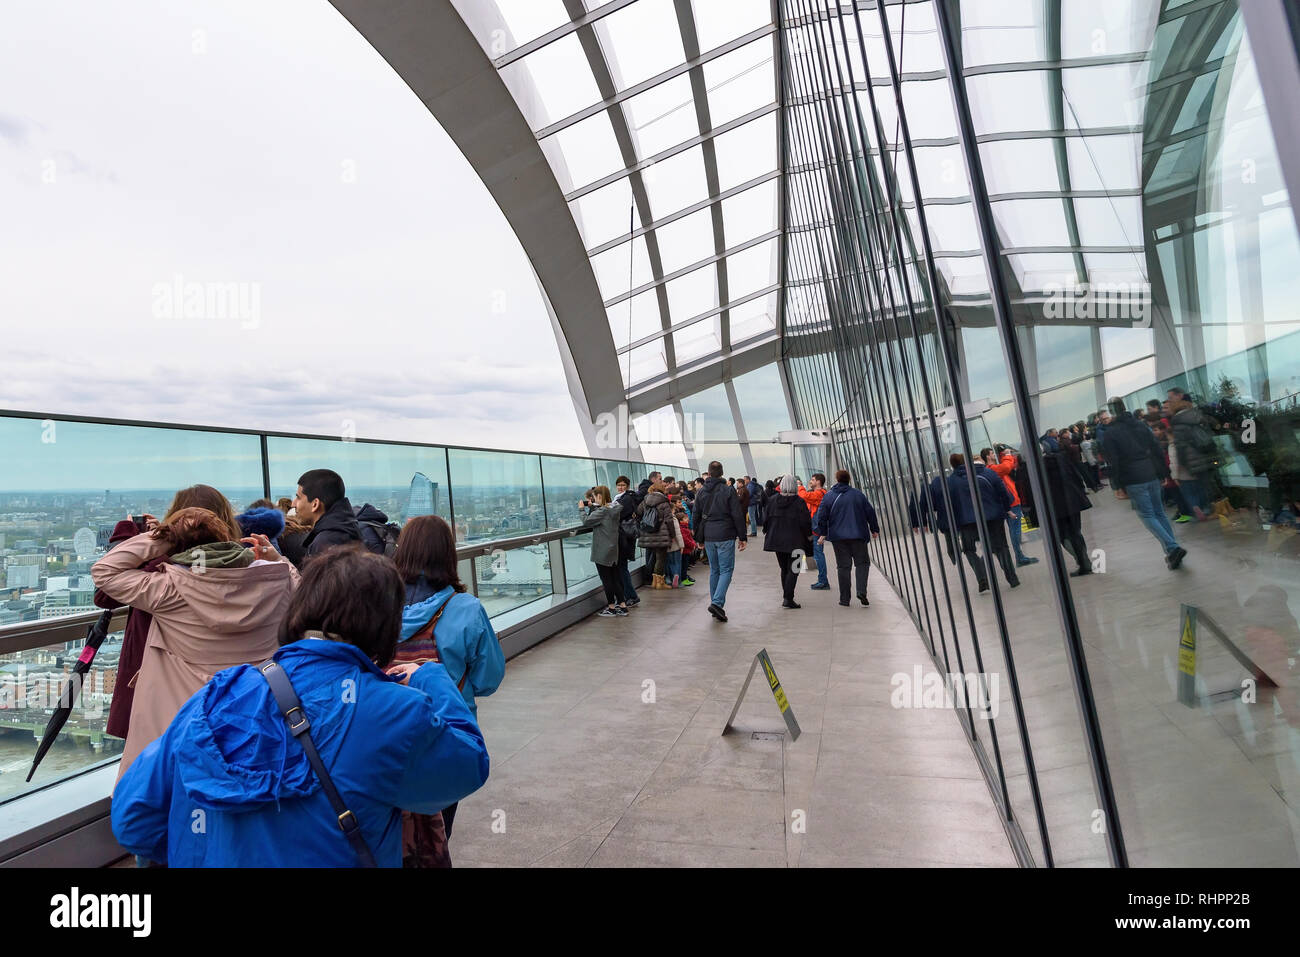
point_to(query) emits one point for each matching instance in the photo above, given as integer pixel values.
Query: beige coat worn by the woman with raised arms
(203, 622)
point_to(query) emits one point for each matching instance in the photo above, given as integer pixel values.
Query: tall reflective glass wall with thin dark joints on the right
(1093, 218)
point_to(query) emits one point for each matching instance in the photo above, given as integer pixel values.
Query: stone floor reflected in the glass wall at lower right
(1217, 785)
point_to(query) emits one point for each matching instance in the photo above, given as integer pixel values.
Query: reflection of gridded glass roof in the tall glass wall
(1058, 105)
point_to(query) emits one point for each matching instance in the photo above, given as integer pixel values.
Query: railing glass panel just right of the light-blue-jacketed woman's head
(497, 496)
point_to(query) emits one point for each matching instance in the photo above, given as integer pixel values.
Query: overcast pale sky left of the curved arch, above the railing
(268, 145)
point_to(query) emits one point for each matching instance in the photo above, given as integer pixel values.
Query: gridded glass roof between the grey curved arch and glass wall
(658, 119)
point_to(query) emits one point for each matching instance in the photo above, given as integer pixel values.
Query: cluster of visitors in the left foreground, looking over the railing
(297, 685)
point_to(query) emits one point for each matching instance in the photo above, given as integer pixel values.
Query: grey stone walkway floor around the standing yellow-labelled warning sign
(608, 750)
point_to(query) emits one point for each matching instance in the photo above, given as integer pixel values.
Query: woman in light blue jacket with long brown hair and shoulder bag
(443, 621)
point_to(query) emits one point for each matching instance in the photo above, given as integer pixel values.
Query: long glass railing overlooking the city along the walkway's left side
(66, 483)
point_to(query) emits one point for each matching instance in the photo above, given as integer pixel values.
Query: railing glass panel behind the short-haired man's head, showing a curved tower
(400, 480)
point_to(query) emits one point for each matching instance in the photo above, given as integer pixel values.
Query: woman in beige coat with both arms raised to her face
(215, 604)
